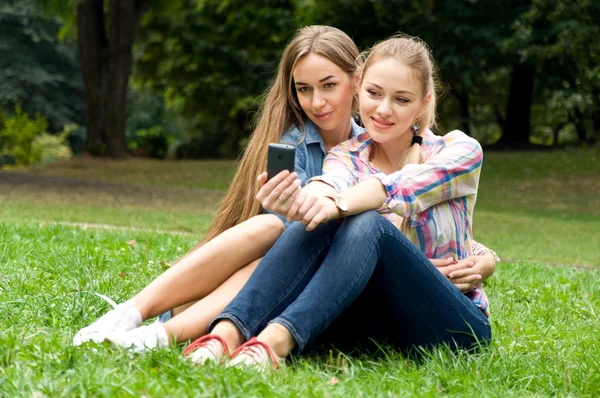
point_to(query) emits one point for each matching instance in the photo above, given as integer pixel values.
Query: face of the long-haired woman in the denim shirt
(325, 94)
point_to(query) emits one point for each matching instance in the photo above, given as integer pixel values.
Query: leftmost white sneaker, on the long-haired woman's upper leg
(122, 318)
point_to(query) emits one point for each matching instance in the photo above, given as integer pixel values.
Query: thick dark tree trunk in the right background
(517, 125)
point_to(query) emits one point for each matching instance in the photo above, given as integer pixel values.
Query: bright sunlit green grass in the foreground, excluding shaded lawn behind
(544, 321)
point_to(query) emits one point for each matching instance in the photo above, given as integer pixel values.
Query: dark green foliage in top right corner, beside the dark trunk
(561, 39)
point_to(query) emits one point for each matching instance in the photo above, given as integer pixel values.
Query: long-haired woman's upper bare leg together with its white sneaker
(194, 277)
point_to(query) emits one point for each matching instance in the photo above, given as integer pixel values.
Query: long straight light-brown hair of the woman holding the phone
(279, 110)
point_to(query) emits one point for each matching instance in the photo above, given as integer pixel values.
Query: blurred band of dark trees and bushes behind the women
(182, 78)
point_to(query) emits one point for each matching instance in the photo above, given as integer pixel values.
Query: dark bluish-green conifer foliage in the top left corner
(38, 71)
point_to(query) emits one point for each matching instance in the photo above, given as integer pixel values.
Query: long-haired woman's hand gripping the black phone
(279, 192)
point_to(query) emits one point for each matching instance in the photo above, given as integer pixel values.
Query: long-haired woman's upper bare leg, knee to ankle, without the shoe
(201, 272)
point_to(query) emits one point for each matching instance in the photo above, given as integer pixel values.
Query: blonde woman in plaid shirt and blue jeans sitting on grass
(347, 255)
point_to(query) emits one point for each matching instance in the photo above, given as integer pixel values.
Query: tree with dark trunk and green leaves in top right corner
(558, 39)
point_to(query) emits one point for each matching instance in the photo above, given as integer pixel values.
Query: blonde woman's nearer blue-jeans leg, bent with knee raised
(411, 300)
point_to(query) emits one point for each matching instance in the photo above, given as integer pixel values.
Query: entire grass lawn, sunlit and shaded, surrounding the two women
(544, 296)
